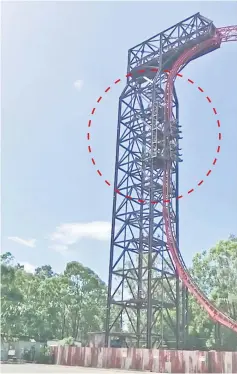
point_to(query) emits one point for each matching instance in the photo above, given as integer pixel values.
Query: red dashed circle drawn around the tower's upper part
(217, 150)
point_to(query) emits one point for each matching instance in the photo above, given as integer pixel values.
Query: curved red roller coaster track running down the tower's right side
(223, 34)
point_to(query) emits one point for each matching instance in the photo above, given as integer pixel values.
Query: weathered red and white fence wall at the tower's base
(154, 360)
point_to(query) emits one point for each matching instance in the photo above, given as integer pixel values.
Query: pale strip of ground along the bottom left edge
(34, 369)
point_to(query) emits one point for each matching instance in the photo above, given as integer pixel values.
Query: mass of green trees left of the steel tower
(46, 305)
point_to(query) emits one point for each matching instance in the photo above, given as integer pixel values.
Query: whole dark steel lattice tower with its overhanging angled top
(147, 303)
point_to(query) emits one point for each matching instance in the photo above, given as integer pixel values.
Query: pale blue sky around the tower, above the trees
(55, 207)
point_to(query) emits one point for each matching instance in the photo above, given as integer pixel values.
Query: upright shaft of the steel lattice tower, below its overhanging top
(143, 285)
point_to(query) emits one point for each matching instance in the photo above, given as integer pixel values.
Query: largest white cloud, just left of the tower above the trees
(70, 233)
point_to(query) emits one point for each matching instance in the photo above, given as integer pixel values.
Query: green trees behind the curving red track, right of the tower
(215, 273)
